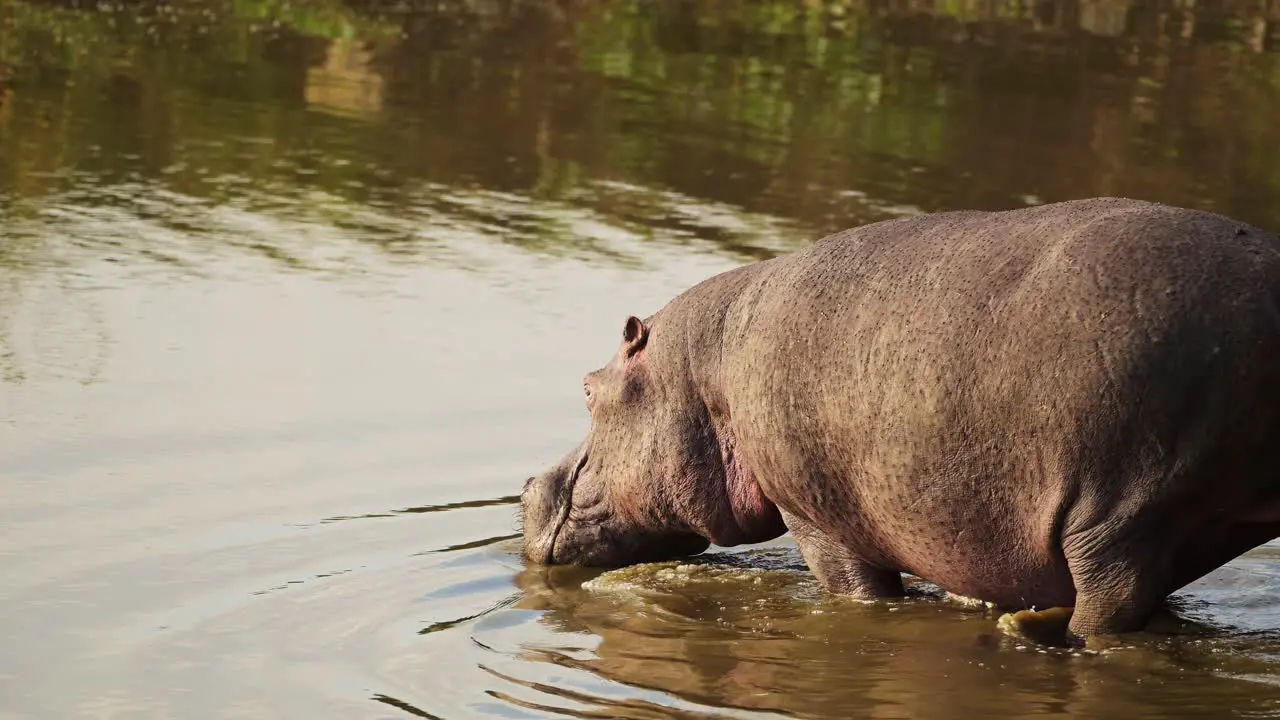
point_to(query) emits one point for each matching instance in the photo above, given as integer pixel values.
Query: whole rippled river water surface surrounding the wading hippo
(295, 295)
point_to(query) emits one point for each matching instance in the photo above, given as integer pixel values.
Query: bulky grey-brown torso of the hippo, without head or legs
(1048, 361)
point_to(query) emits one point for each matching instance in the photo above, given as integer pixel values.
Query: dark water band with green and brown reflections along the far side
(828, 115)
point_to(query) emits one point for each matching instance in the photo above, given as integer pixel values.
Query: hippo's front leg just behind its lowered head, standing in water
(838, 569)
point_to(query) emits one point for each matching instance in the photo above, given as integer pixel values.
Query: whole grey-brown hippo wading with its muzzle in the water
(1073, 405)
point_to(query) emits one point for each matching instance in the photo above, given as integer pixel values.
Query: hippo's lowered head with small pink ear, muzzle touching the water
(651, 481)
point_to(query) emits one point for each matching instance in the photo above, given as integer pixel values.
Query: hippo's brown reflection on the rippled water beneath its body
(730, 639)
